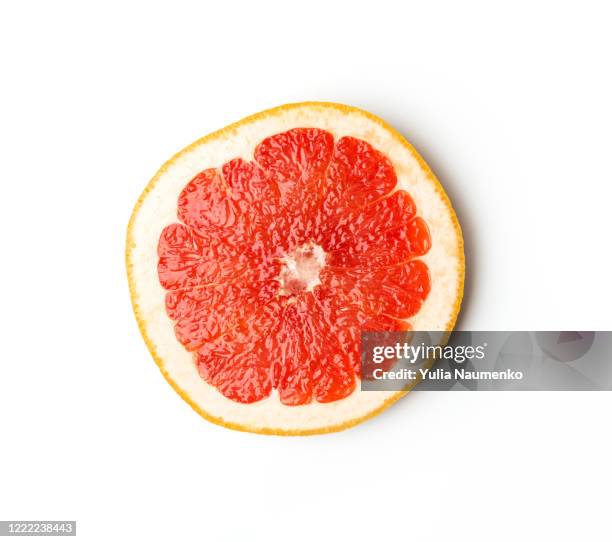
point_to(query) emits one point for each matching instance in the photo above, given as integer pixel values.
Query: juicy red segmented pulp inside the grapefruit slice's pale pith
(225, 266)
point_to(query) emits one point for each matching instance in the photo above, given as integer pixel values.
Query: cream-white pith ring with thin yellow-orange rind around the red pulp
(159, 209)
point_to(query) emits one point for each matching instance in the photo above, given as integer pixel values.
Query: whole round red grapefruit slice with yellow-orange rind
(258, 254)
